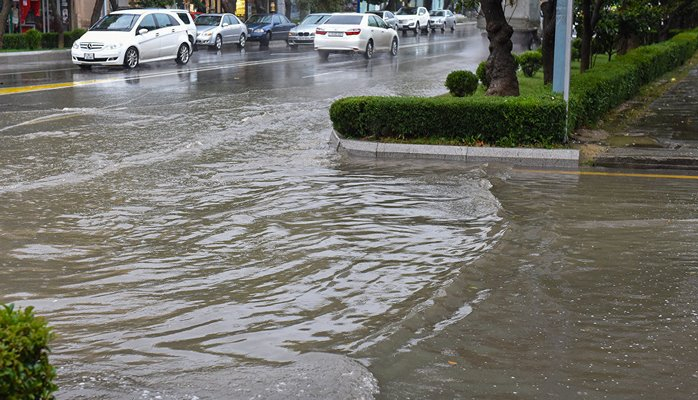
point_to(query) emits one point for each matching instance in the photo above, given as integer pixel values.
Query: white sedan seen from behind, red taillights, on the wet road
(355, 33)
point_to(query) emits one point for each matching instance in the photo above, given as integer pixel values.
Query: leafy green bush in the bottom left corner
(25, 372)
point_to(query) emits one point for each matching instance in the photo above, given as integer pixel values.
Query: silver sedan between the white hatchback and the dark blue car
(213, 30)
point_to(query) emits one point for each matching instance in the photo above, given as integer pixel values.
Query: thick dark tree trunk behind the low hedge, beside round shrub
(500, 64)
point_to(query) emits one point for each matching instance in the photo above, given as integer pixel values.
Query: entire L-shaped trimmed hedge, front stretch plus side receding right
(512, 121)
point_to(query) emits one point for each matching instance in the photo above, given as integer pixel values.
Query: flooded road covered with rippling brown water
(190, 235)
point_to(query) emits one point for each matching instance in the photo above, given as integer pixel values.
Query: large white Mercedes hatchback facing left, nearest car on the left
(131, 37)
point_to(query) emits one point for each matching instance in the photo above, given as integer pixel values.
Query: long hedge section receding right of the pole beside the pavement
(605, 87)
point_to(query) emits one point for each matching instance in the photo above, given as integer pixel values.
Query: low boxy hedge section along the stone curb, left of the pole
(510, 121)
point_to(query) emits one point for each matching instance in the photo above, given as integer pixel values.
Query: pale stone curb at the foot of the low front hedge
(543, 158)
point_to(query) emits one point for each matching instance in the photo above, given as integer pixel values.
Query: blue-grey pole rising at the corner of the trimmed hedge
(563, 44)
